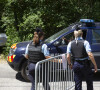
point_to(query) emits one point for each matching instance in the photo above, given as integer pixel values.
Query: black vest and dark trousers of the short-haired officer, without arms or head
(81, 65)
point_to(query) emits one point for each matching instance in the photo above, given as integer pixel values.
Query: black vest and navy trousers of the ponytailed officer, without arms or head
(35, 54)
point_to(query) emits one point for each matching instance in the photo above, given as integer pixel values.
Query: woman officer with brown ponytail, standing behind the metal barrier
(35, 52)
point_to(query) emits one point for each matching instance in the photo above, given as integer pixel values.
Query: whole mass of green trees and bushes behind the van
(19, 18)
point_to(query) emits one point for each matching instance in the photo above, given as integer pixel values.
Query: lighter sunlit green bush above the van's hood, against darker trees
(24, 31)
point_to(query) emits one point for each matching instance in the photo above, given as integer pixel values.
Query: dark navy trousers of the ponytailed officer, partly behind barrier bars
(31, 68)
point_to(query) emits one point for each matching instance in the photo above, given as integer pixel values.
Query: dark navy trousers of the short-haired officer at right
(83, 69)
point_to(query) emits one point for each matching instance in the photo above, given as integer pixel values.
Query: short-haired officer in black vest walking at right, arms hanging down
(80, 51)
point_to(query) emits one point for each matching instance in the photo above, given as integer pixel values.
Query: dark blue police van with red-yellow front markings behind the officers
(57, 44)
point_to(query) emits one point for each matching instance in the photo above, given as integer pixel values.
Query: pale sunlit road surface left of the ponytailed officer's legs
(11, 80)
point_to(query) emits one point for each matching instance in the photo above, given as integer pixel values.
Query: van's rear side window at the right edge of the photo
(96, 36)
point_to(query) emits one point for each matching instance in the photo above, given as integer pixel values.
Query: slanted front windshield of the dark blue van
(56, 35)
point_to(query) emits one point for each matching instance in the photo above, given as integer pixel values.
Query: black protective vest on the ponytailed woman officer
(35, 53)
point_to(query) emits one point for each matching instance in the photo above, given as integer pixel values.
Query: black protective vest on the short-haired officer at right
(78, 50)
